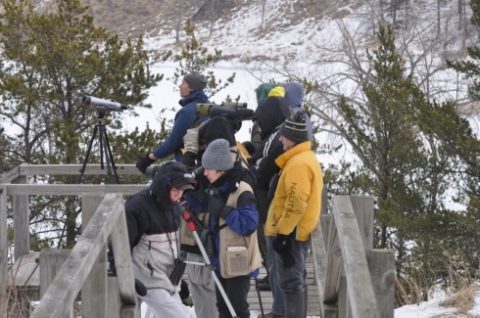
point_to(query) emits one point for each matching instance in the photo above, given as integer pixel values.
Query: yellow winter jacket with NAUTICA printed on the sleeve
(297, 199)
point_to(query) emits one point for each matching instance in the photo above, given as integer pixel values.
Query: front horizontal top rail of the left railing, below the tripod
(71, 189)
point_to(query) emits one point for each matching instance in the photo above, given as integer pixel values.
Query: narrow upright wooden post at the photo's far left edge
(3, 253)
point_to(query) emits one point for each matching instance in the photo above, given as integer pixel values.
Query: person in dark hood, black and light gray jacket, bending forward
(153, 222)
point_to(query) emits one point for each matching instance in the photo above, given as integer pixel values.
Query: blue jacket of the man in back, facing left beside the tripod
(185, 119)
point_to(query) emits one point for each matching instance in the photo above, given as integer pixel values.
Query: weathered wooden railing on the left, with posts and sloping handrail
(85, 267)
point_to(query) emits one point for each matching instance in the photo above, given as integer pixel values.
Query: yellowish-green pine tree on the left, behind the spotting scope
(50, 61)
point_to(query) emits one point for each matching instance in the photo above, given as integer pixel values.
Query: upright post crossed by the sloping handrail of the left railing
(94, 298)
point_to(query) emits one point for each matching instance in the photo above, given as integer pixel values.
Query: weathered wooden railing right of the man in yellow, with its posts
(353, 279)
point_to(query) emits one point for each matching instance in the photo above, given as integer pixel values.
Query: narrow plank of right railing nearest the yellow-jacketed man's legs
(319, 256)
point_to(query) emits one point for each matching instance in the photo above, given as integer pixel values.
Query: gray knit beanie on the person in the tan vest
(217, 156)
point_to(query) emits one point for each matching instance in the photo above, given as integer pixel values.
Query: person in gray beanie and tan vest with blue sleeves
(232, 222)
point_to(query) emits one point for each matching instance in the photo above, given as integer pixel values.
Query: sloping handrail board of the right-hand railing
(359, 284)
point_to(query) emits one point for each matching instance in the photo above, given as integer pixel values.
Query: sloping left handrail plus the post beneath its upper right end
(109, 218)
